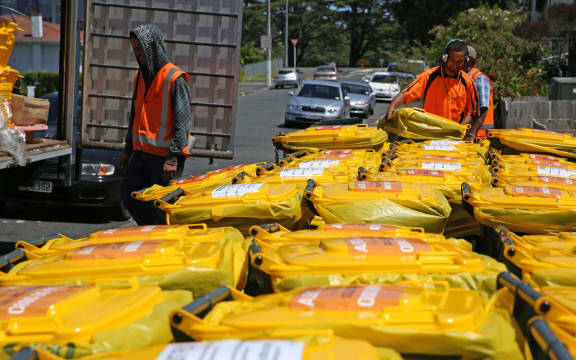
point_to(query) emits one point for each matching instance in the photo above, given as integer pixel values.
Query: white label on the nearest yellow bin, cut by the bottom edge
(234, 350)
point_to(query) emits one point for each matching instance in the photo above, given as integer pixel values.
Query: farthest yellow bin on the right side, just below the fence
(513, 141)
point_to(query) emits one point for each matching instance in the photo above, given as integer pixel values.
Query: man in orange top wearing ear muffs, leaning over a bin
(446, 89)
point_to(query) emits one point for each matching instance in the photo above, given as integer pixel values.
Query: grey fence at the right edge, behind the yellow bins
(538, 112)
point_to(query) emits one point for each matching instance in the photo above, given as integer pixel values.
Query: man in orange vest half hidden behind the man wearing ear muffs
(485, 95)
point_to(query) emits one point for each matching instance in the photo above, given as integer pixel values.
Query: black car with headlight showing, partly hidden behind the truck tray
(96, 180)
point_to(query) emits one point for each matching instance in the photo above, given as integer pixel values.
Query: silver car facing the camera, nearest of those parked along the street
(317, 100)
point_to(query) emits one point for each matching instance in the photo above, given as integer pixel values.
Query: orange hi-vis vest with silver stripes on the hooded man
(153, 127)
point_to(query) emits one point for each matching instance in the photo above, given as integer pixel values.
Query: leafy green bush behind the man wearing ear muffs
(510, 61)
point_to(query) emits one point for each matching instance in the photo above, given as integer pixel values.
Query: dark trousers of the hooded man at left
(144, 170)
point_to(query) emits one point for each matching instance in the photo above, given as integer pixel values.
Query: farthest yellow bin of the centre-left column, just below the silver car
(329, 137)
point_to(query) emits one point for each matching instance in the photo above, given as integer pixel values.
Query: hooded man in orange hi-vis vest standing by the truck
(158, 138)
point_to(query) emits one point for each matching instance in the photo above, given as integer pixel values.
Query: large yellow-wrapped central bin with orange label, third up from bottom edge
(384, 259)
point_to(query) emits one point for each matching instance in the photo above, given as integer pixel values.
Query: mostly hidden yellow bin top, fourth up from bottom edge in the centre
(275, 234)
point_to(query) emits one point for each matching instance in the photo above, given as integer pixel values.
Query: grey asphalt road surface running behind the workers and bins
(260, 117)
